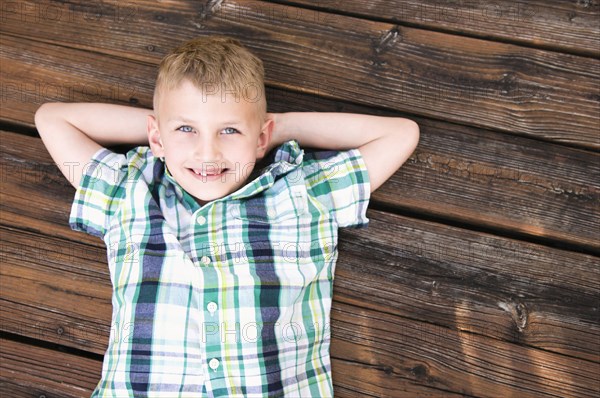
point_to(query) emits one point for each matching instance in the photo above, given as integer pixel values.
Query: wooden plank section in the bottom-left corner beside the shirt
(30, 371)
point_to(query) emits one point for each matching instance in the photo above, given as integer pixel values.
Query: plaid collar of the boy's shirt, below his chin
(286, 158)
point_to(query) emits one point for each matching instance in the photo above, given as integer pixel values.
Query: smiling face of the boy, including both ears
(210, 142)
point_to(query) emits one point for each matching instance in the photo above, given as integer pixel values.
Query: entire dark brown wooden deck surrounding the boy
(479, 274)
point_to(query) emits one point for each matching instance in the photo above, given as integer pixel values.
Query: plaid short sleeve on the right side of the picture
(340, 180)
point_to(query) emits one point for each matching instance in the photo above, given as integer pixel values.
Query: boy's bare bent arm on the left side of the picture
(73, 132)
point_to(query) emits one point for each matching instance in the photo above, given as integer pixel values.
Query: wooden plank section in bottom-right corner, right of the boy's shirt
(454, 361)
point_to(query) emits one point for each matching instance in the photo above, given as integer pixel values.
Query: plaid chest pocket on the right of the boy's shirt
(289, 204)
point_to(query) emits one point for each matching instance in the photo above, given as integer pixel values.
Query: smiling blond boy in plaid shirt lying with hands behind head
(222, 269)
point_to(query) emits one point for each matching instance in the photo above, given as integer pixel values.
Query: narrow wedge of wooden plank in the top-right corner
(568, 26)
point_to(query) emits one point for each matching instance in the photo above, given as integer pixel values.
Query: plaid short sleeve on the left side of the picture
(100, 192)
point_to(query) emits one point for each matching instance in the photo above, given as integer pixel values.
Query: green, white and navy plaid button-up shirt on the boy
(228, 299)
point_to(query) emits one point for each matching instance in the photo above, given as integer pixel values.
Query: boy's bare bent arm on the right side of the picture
(385, 143)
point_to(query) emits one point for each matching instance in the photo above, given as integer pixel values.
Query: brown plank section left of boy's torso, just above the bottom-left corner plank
(55, 290)
